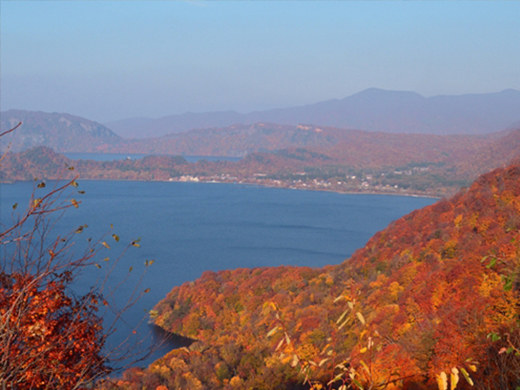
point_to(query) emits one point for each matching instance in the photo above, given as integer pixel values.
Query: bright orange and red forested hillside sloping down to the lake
(431, 299)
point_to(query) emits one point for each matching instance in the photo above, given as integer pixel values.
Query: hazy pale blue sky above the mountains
(108, 60)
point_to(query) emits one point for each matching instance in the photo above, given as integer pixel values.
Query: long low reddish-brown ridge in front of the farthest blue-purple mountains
(356, 147)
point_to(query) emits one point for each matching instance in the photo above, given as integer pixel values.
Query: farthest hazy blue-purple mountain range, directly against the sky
(371, 110)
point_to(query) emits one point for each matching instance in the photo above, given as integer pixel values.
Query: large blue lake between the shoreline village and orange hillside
(188, 228)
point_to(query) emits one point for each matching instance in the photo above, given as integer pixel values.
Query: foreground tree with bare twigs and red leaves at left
(51, 337)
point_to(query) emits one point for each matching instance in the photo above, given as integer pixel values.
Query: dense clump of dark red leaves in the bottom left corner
(48, 338)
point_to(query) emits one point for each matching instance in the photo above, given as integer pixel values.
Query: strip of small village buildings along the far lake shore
(343, 186)
